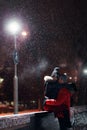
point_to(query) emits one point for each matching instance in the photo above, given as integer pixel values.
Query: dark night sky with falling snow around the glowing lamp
(57, 32)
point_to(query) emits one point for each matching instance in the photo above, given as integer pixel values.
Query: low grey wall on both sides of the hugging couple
(42, 120)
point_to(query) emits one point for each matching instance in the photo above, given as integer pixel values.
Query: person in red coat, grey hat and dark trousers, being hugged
(61, 105)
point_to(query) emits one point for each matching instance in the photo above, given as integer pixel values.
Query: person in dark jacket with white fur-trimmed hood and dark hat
(51, 84)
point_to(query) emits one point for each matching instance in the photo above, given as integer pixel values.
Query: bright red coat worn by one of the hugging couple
(59, 105)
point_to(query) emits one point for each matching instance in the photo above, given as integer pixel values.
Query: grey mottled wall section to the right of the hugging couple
(79, 118)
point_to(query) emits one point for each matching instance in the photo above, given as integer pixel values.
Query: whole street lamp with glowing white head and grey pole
(14, 28)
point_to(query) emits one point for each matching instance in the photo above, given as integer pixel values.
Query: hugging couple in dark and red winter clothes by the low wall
(58, 95)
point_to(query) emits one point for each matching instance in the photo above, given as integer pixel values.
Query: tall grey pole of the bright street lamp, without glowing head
(15, 76)
